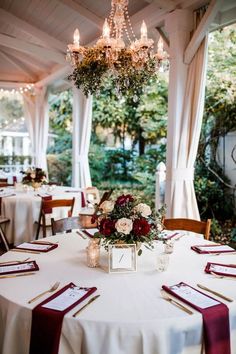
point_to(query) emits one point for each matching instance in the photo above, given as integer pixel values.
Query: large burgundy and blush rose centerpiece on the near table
(126, 220)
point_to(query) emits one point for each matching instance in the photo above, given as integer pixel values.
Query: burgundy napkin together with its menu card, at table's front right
(215, 316)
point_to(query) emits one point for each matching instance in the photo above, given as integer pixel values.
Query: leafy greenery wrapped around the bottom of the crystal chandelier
(91, 73)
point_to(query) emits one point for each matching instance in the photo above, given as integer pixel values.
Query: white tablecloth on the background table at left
(23, 210)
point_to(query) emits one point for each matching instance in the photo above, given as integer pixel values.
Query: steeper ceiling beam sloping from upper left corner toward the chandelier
(26, 27)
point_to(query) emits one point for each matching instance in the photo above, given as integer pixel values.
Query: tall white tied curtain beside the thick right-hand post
(180, 194)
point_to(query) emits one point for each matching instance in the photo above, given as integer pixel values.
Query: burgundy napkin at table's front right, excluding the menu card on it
(215, 324)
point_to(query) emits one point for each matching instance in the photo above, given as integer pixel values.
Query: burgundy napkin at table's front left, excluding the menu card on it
(47, 323)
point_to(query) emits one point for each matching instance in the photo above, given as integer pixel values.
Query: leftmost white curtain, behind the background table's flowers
(37, 120)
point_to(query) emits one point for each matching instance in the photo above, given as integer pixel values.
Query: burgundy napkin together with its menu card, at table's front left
(47, 318)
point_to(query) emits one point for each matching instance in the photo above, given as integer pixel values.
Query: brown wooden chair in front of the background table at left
(47, 207)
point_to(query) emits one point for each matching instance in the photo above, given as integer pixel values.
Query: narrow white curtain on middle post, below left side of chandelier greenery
(82, 124)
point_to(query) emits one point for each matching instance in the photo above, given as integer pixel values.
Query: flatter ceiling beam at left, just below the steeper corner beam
(25, 47)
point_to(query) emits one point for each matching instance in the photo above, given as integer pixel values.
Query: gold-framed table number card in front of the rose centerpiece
(122, 258)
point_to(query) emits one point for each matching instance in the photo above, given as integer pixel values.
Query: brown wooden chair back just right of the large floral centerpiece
(200, 227)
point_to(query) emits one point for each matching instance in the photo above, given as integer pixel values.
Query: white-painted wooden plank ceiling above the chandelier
(34, 33)
